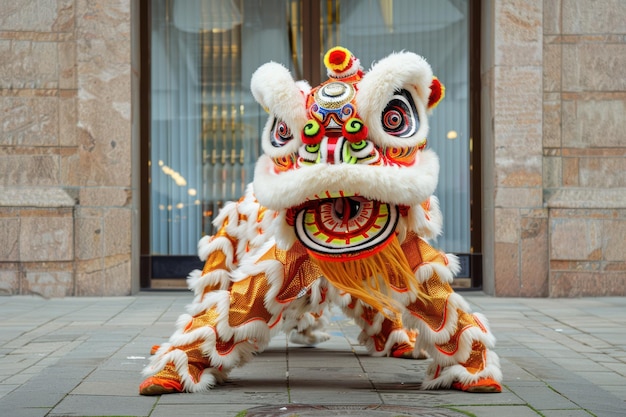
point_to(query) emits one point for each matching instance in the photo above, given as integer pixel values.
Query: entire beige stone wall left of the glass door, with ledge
(65, 105)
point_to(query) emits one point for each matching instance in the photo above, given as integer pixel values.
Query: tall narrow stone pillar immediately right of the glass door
(515, 239)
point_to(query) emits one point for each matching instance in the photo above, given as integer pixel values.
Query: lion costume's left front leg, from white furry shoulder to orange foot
(239, 299)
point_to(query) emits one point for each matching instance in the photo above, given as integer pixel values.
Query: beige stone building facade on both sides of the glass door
(552, 147)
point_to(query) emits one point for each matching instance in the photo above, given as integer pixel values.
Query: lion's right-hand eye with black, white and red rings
(400, 116)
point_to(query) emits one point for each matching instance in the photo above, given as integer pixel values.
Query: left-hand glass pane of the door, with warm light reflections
(205, 125)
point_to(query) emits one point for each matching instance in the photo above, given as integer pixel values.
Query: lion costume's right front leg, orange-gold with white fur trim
(458, 341)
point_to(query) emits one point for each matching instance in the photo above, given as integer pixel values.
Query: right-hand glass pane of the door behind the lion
(437, 30)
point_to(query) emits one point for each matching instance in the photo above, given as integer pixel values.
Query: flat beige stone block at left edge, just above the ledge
(29, 170)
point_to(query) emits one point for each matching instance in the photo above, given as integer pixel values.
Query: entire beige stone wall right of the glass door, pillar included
(555, 164)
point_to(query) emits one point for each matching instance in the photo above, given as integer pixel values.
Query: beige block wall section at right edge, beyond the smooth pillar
(585, 146)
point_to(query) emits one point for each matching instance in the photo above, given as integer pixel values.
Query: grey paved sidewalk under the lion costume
(83, 357)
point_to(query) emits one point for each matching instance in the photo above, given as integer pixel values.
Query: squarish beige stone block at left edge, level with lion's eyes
(29, 121)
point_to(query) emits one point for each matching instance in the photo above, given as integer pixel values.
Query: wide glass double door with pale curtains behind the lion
(204, 124)
